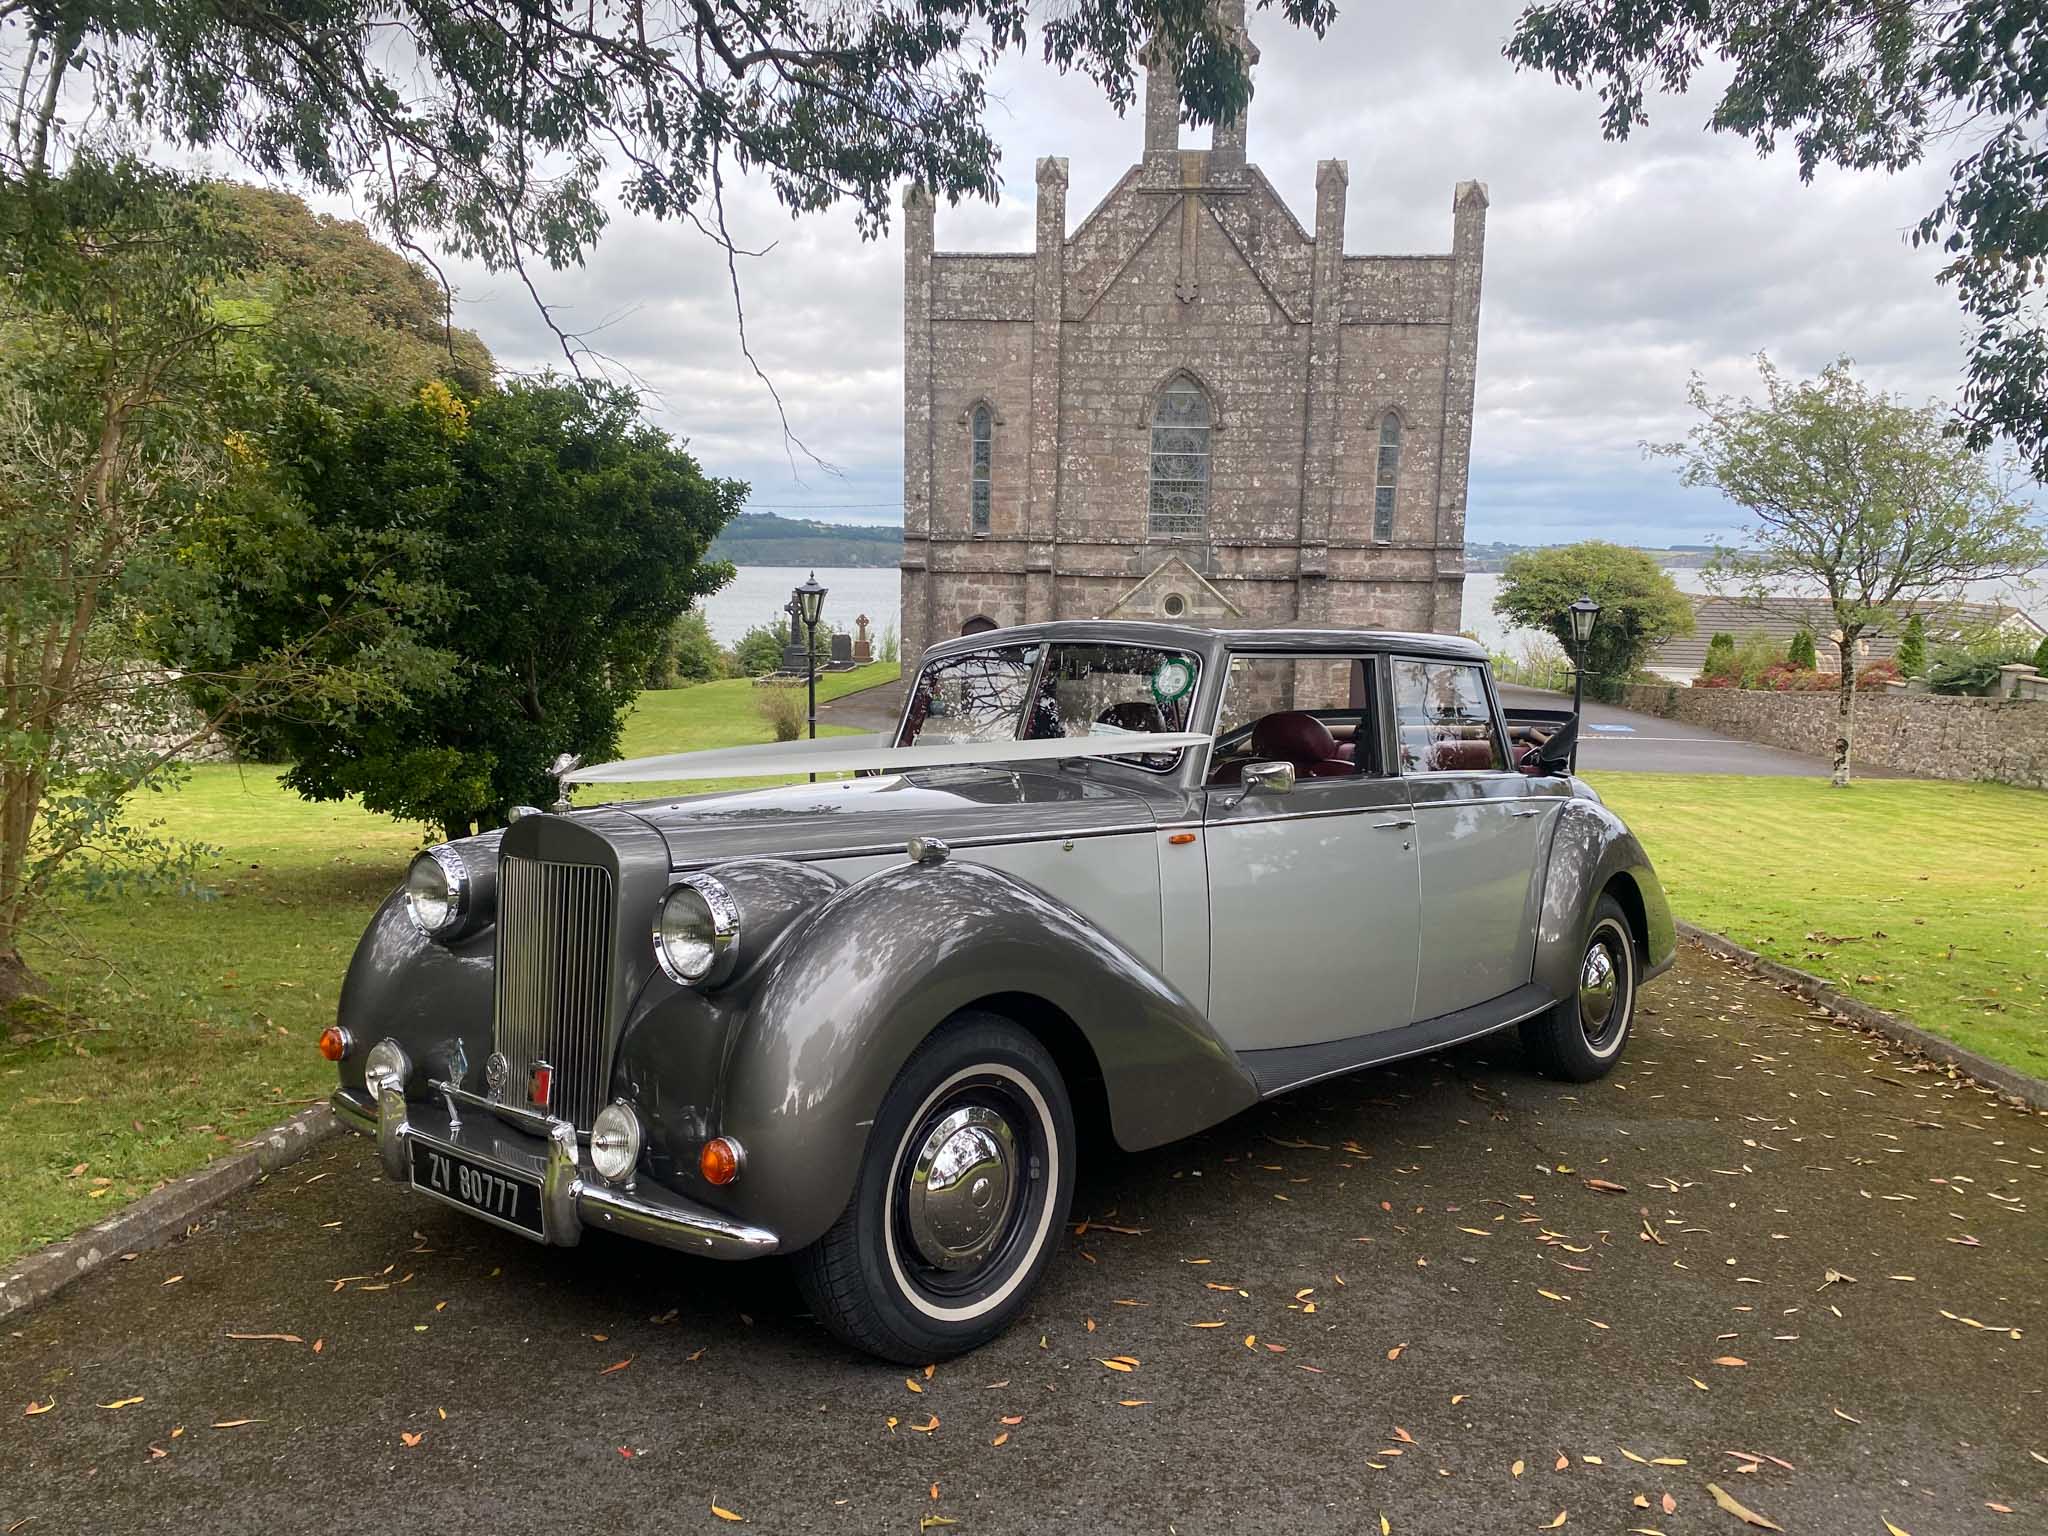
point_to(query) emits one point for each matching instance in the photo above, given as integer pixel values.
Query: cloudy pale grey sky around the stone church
(1613, 273)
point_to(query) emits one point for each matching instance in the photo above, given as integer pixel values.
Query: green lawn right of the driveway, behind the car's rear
(1922, 898)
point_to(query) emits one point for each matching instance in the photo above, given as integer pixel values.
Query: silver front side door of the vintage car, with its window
(1312, 894)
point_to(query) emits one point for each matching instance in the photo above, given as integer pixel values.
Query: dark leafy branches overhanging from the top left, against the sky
(497, 126)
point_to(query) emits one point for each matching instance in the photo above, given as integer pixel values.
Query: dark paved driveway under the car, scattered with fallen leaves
(1418, 1297)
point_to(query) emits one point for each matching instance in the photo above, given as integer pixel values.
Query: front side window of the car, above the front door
(1314, 712)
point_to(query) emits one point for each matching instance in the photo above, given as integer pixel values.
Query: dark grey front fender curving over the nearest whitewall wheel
(890, 959)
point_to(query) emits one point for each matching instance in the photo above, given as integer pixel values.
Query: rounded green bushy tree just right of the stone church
(1639, 605)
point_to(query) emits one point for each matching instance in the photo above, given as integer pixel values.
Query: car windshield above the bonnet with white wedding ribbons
(1054, 691)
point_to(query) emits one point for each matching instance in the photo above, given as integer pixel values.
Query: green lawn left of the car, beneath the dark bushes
(183, 1025)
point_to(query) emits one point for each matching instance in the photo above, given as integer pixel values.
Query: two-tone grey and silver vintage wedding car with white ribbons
(1103, 876)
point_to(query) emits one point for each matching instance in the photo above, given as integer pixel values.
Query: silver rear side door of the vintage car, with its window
(1480, 830)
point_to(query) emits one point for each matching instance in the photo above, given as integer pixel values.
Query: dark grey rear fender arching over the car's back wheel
(1590, 851)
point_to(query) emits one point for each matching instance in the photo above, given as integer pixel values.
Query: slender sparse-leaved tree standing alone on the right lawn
(1859, 497)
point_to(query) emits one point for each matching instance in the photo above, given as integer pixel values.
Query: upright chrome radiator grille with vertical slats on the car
(554, 980)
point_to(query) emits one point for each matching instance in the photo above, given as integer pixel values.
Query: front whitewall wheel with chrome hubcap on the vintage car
(964, 1189)
